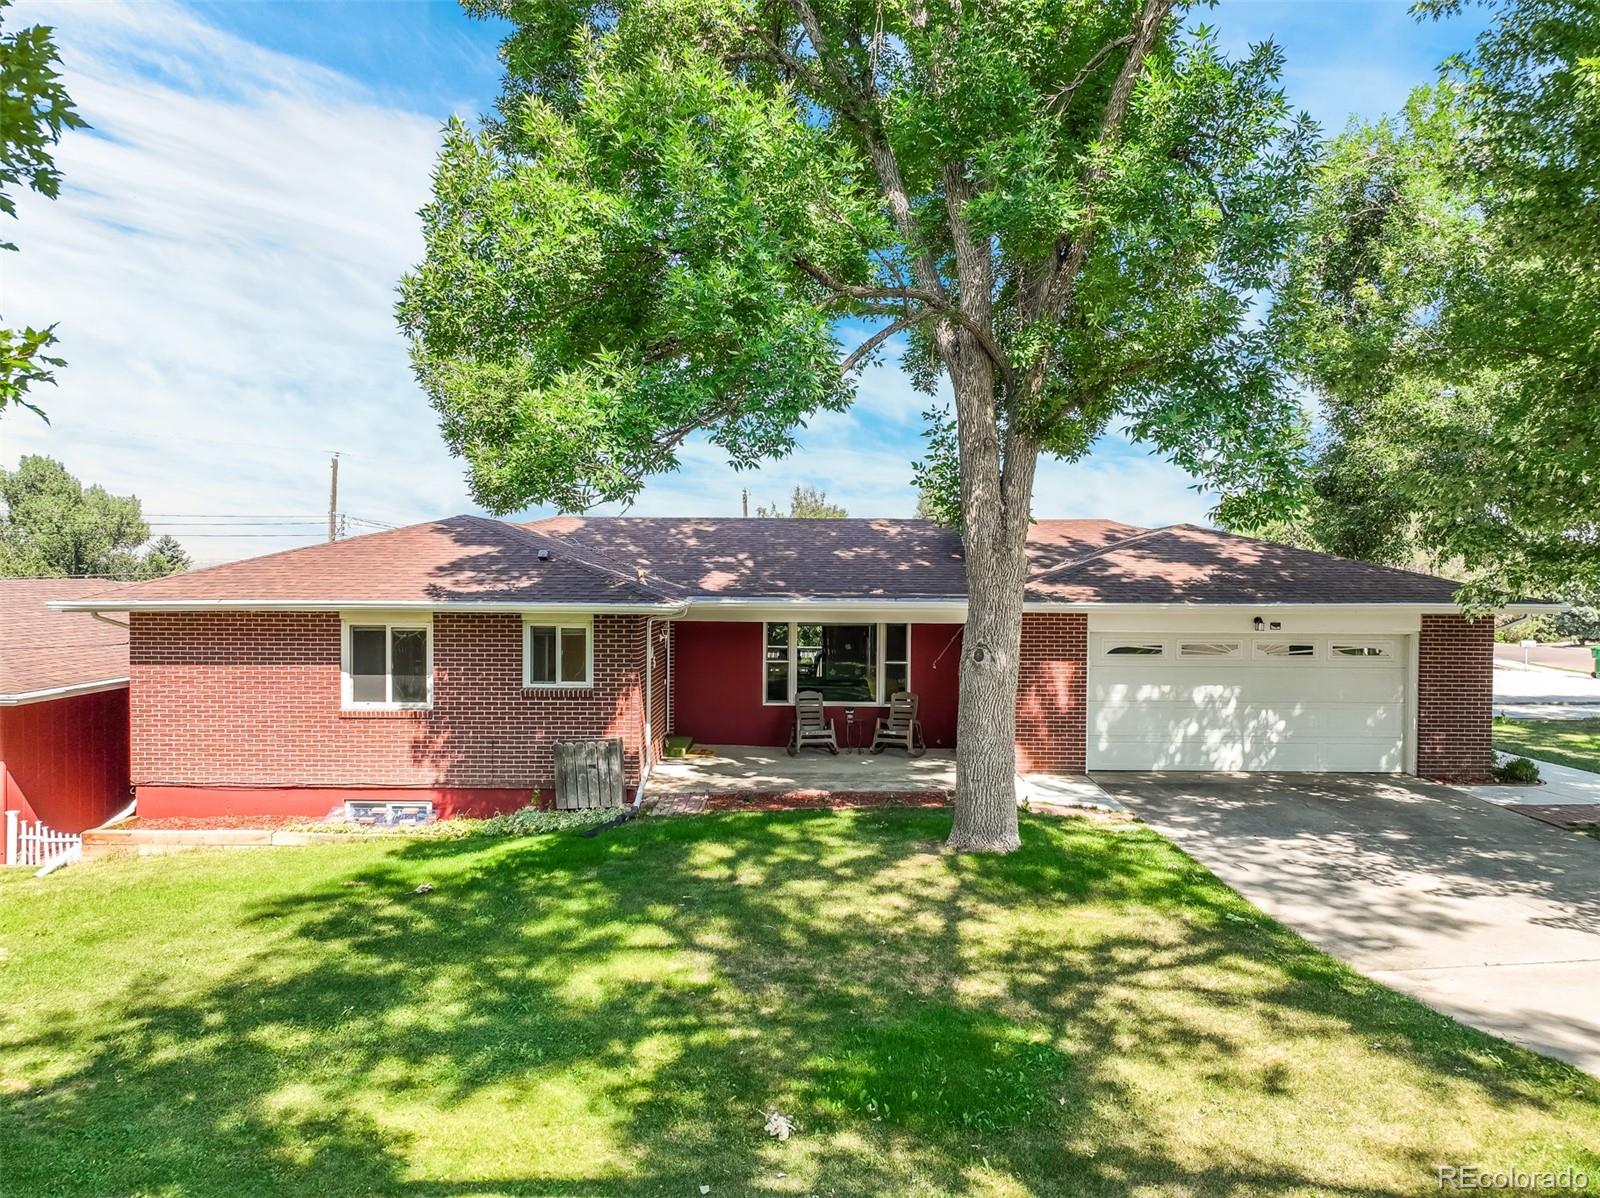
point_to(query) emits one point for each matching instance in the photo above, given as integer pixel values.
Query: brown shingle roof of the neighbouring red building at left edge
(44, 650)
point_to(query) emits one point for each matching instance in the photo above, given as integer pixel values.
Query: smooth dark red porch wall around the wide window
(718, 684)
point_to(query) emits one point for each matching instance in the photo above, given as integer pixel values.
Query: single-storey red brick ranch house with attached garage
(442, 661)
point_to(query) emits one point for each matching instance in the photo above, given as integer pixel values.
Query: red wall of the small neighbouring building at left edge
(66, 762)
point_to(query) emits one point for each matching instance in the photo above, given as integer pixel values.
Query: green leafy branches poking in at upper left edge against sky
(34, 110)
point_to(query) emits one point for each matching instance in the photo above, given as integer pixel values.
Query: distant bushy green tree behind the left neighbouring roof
(55, 527)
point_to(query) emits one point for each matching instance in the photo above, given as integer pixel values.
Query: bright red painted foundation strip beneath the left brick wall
(318, 802)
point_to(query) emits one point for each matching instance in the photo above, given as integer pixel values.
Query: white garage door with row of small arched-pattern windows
(1247, 703)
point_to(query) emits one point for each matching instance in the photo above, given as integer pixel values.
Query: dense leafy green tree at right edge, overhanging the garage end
(1444, 303)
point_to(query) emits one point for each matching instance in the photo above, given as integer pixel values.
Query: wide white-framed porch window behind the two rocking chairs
(846, 663)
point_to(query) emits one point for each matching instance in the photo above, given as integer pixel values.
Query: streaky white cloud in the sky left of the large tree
(223, 263)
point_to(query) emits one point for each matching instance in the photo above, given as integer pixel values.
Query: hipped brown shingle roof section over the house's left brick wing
(460, 561)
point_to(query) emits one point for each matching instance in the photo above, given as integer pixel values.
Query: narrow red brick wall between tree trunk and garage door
(1052, 693)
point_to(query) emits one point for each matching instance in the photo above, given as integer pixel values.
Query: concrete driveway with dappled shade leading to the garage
(1479, 912)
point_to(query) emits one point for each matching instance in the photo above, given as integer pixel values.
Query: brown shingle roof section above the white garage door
(1188, 564)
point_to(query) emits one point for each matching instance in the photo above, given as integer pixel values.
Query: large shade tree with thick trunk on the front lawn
(1065, 210)
